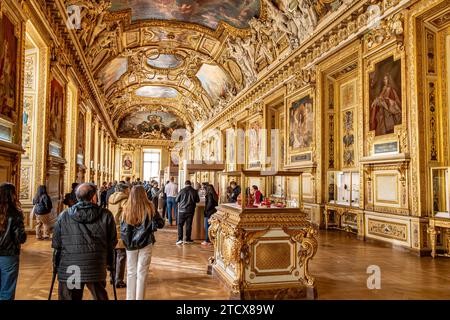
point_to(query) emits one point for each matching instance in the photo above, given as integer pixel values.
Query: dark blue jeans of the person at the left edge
(9, 271)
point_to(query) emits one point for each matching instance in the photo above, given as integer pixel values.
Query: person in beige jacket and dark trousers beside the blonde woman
(116, 203)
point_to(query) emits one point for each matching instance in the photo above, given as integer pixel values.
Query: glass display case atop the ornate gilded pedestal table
(280, 190)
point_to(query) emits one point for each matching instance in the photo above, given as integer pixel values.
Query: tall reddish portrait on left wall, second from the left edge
(56, 111)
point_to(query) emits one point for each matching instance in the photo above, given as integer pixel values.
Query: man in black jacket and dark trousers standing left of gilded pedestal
(187, 200)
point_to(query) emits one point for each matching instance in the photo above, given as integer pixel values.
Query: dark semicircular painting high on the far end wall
(150, 125)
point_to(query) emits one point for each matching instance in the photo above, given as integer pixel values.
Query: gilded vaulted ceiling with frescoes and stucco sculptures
(189, 57)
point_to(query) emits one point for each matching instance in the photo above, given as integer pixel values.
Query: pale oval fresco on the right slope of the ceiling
(213, 80)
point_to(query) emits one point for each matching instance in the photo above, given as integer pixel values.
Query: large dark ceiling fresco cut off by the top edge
(205, 12)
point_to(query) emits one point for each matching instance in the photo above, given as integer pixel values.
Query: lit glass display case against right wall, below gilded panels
(343, 188)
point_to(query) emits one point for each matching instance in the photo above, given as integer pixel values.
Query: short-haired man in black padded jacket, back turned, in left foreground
(84, 240)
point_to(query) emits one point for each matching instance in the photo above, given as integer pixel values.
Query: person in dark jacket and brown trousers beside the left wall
(42, 209)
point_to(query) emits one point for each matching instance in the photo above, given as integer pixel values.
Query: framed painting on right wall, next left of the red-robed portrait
(300, 129)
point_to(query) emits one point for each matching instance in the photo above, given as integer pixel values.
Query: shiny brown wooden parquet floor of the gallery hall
(179, 272)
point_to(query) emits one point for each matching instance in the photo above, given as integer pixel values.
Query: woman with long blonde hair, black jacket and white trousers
(139, 221)
